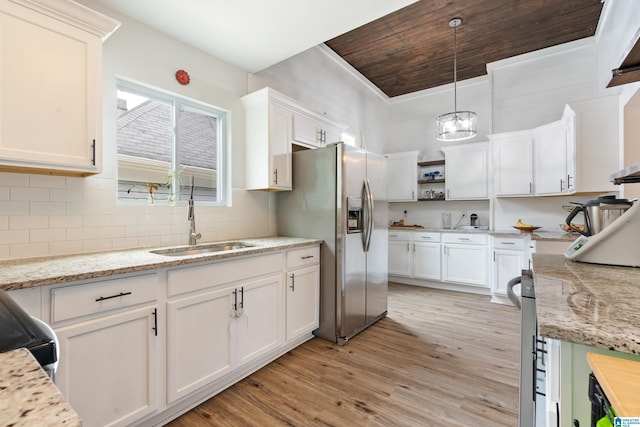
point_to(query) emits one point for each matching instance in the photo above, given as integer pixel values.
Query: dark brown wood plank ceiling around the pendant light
(412, 49)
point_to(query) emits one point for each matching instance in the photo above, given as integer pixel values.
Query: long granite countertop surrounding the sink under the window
(31, 272)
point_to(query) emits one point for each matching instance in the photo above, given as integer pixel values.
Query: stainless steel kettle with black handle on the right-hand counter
(599, 213)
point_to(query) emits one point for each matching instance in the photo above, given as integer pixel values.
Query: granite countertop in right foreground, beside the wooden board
(590, 304)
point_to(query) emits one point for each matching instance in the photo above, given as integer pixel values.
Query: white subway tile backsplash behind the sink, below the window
(43, 215)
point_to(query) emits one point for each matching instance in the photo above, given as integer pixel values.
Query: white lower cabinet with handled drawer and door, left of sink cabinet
(108, 367)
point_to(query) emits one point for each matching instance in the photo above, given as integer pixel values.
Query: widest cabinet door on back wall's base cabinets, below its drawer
(466, 264)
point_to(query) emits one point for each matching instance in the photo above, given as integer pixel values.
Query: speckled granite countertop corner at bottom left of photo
(28, 395)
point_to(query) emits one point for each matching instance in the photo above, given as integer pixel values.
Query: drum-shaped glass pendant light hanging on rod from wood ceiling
(458, 125)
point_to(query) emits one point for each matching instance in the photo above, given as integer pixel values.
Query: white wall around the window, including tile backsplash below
(44, 215)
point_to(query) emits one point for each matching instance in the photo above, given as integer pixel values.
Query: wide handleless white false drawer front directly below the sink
(205, 276)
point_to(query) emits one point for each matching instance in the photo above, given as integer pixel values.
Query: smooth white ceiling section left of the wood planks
(255, 34)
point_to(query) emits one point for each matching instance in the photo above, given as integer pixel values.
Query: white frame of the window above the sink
(157, 171)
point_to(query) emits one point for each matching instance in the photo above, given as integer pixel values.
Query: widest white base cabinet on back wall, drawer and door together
(465, 259)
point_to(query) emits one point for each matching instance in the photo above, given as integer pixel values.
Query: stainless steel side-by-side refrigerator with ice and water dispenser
(339, 196)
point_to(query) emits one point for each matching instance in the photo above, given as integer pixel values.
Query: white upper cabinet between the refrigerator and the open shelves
(402, 176)
